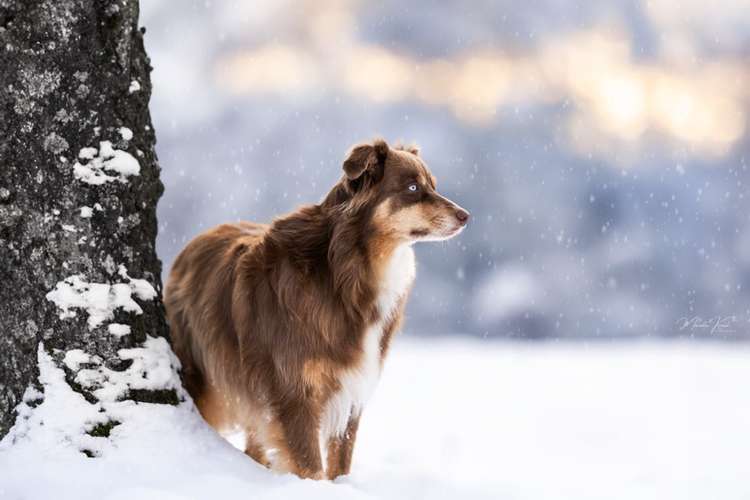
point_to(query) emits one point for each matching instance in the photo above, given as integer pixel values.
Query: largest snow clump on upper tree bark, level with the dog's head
(106, 158)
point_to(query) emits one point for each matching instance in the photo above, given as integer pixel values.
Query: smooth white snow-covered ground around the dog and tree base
(461, 420)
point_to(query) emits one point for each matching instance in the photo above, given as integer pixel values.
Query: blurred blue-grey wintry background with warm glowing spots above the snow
(602, 146)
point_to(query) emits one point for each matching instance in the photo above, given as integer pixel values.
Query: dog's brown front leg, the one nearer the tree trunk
(299, 421)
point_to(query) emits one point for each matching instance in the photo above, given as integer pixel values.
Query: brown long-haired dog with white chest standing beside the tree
(282, 329)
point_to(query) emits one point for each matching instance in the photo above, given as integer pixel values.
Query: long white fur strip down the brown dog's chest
(358, 382)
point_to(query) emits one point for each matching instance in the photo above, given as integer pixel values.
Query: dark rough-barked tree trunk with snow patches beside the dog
(79, 184)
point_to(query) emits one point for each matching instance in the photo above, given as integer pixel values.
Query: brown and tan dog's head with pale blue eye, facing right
(399, 193)
